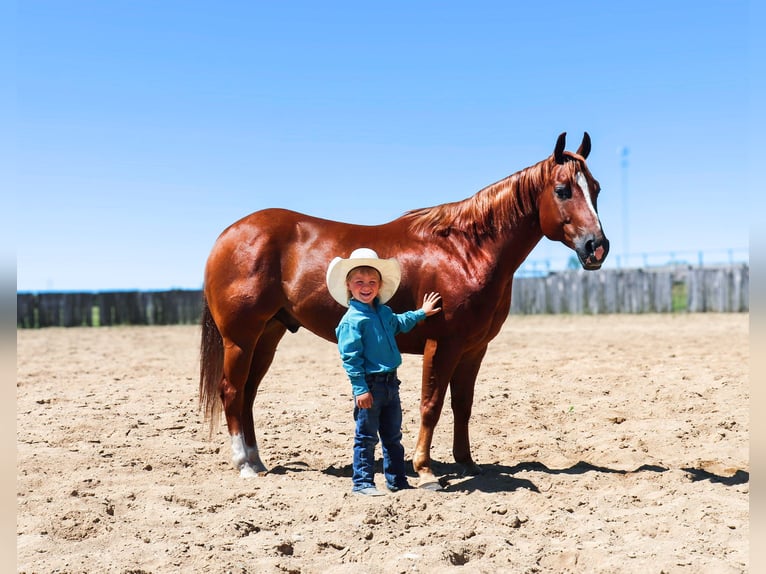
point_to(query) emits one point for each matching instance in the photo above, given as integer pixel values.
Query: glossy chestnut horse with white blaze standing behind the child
(265, 275)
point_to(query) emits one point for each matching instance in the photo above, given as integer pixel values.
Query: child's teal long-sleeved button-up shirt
(366, 340)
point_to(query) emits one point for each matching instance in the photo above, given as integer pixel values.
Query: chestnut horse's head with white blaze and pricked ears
(568, 205)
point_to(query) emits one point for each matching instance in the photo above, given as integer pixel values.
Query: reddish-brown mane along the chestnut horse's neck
(482, 215)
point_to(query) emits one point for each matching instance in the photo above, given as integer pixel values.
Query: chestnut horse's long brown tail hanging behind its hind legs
(210, 368)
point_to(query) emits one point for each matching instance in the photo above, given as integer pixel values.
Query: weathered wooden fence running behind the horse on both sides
(687, 289)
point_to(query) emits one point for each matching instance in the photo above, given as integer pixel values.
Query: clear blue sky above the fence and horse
(143, 128)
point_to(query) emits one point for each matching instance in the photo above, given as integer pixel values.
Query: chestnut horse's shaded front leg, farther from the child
(461, 395)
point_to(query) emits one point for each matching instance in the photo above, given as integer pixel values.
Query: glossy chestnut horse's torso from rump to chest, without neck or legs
(272, 264)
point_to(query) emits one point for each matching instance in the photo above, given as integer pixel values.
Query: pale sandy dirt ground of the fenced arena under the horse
(613, 444)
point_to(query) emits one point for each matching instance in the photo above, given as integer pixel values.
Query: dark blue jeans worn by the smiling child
(383, 419)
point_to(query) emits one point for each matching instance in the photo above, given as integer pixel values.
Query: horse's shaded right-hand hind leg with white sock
(244, 444)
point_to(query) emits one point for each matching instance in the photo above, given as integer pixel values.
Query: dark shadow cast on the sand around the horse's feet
(501, 478)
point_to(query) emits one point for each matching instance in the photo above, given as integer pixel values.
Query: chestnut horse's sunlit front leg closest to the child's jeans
(433, 390)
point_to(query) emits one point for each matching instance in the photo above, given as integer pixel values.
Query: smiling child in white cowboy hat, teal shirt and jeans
(363, 283)
